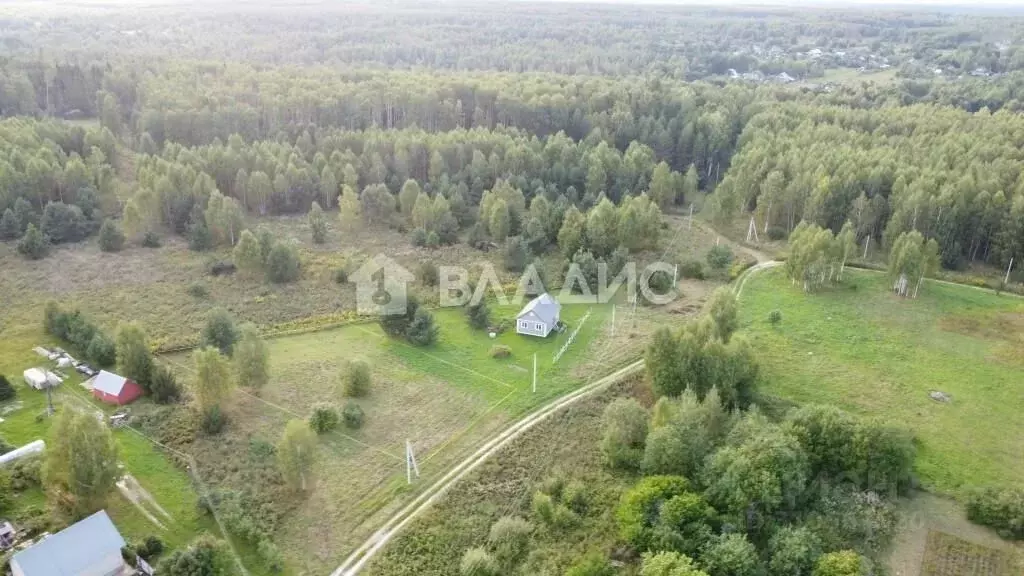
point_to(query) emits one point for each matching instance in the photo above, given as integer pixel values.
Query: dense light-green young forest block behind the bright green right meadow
(951, 176)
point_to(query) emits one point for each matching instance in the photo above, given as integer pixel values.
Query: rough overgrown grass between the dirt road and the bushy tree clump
(567, 448)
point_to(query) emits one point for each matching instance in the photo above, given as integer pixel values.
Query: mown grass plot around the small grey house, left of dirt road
(445, 399)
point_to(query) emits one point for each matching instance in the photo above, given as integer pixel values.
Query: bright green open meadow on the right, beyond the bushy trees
(862, 348)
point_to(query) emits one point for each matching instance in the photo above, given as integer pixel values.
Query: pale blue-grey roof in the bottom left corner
(73, 550)
